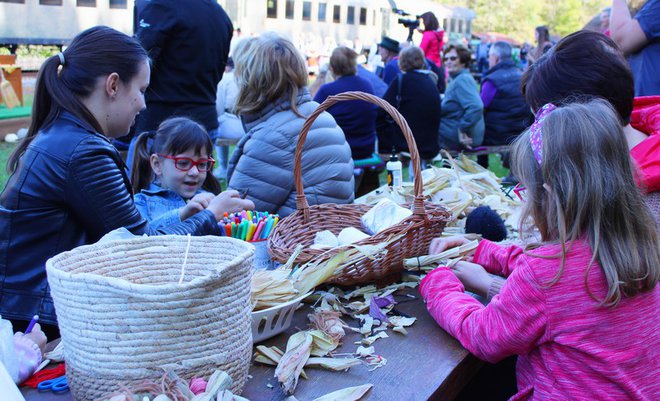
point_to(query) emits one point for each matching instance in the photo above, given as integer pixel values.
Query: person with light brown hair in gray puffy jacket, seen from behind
(273, 103)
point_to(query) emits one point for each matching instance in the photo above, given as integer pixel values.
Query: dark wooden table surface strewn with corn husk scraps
(427, 364)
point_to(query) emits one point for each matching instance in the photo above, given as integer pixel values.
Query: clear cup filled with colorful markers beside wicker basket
(253, 227)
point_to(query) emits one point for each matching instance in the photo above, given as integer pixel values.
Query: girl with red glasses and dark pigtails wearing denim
(172, 174)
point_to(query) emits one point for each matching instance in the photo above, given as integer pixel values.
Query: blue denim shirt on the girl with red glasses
(160, 207)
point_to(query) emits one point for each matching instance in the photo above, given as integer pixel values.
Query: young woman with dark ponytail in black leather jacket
(68, 185)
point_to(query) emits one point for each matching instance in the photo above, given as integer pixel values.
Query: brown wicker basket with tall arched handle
(427, 221)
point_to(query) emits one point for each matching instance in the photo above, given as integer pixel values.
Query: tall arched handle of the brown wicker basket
(301, 200)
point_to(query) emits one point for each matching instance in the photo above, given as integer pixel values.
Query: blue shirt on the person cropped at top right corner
(645, 64)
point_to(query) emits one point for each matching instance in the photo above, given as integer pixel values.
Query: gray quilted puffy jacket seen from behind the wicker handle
(263, 159)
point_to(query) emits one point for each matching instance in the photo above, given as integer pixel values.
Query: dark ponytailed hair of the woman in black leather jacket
(66, 78)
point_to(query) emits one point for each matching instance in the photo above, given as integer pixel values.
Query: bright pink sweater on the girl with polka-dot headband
(569, 347)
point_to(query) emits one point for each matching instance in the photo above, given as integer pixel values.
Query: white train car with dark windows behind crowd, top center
(323, 24)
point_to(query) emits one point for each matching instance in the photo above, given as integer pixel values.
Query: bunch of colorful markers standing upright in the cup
(249, 225)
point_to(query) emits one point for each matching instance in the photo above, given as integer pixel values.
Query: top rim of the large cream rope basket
(123, 285)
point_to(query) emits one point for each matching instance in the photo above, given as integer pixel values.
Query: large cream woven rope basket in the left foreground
(124, 317)
